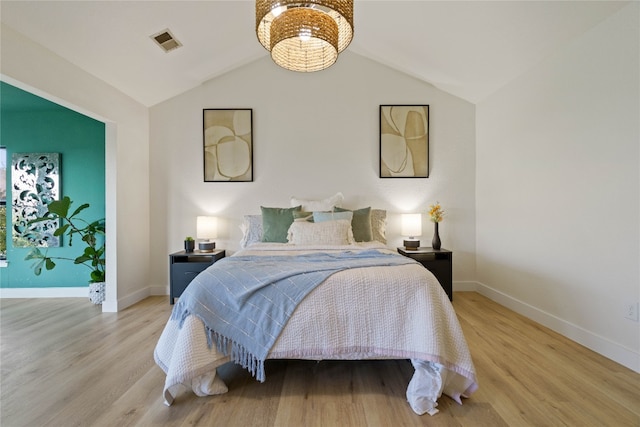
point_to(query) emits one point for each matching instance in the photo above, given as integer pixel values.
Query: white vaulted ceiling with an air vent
(467, 48)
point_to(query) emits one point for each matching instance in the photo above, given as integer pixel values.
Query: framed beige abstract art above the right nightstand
(404, 141)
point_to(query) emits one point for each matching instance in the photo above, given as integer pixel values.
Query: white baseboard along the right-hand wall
(618, 353)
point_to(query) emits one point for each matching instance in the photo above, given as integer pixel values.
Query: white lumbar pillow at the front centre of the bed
(321, 233)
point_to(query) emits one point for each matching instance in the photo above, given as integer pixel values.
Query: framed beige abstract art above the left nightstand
(227, 136)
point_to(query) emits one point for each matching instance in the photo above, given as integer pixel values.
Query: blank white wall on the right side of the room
(558, 190)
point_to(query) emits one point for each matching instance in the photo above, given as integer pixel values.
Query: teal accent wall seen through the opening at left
(31, 124)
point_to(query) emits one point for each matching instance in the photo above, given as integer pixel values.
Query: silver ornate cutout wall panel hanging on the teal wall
(35, 182)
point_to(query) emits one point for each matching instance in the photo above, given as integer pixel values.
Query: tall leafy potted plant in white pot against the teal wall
(91, 235)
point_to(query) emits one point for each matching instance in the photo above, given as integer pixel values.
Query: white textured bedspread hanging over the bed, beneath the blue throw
(396, 312)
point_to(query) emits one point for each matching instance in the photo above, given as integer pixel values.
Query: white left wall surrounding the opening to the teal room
(34, 68)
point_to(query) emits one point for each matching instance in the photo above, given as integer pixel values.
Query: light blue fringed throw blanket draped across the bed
(245, 301)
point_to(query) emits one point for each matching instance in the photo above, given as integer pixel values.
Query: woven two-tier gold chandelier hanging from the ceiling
(304, 35)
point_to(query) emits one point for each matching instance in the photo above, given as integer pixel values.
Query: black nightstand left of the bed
(185, 266)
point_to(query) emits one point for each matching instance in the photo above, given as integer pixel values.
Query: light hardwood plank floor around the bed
(64, 363)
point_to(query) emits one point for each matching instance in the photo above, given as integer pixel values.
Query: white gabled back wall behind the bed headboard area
(314, 134)
